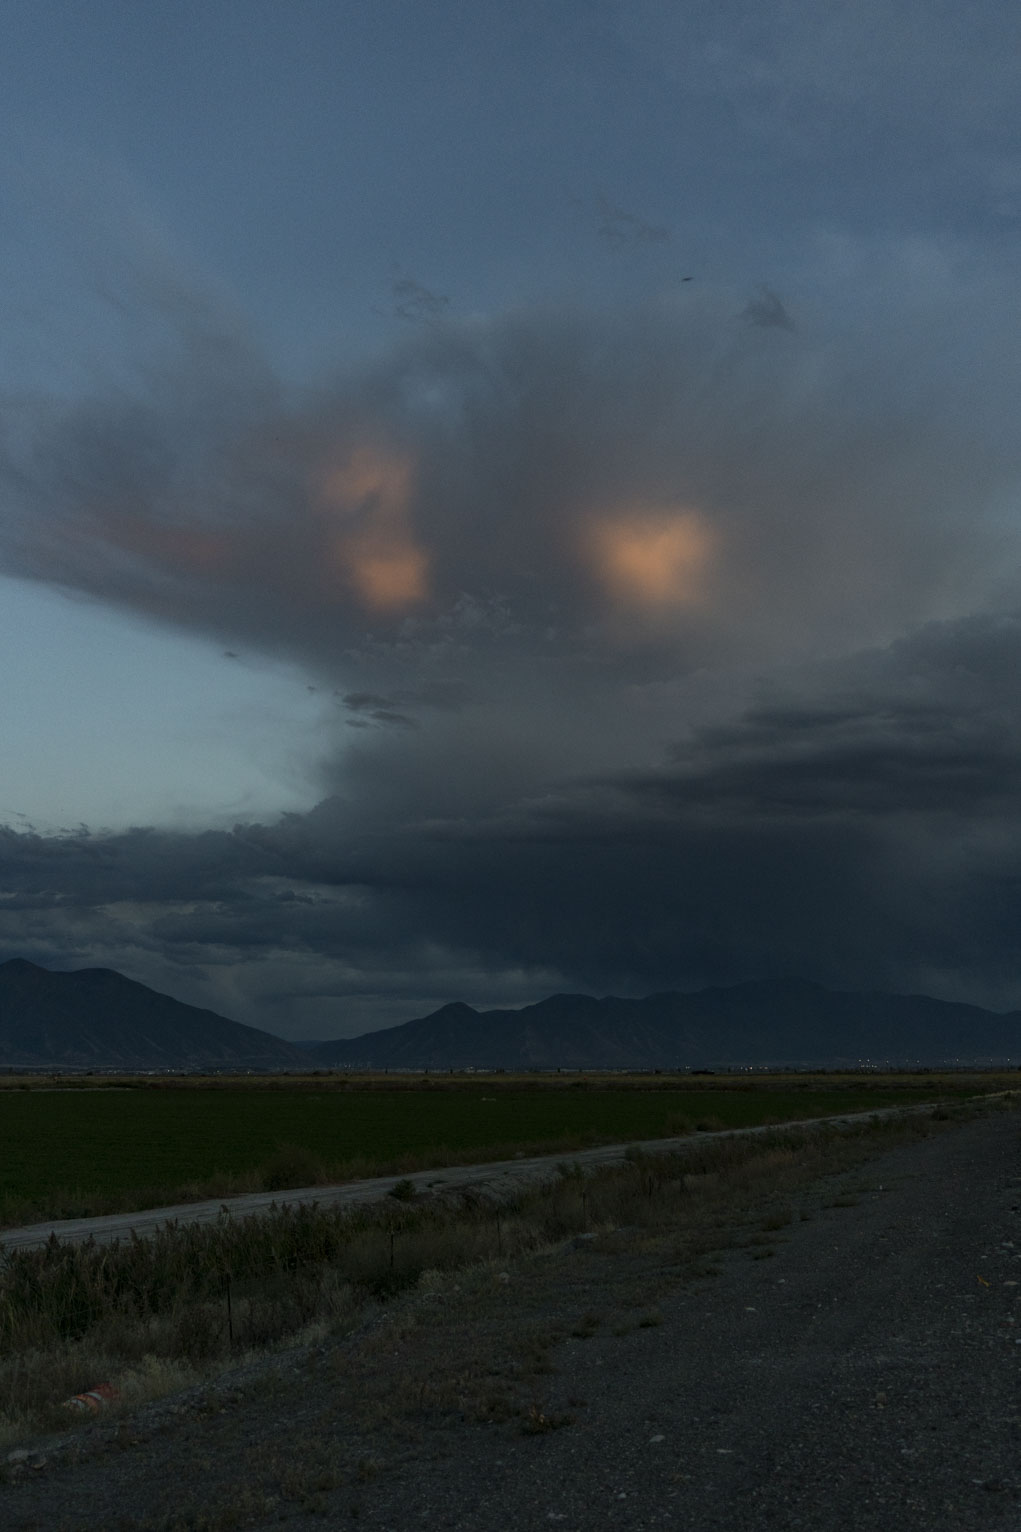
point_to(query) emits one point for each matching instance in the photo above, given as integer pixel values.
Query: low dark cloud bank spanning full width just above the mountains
(859, 825)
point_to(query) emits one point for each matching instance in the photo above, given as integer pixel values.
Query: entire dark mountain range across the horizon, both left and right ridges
(97, 1020)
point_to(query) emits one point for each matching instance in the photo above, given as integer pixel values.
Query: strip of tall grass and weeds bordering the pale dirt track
(151, 1314)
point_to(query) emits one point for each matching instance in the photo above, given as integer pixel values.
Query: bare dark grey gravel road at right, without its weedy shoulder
(864, 1380)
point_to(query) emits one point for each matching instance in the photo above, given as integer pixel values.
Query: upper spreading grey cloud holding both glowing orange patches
(525, 546)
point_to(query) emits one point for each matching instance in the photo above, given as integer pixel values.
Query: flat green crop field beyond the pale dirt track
(74, 1153)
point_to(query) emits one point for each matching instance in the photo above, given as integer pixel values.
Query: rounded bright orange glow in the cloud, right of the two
(652, 558)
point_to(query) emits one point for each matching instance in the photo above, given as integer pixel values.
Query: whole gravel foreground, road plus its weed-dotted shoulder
(862, 1375)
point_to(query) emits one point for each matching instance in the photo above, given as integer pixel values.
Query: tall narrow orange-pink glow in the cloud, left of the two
(373, 549)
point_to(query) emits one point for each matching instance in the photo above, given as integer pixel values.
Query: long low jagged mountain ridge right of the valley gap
(764, 1023)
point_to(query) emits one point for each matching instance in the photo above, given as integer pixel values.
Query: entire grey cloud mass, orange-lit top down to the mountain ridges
(677, 650)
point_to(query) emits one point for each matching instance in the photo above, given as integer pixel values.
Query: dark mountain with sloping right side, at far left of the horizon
(97, 1020)
